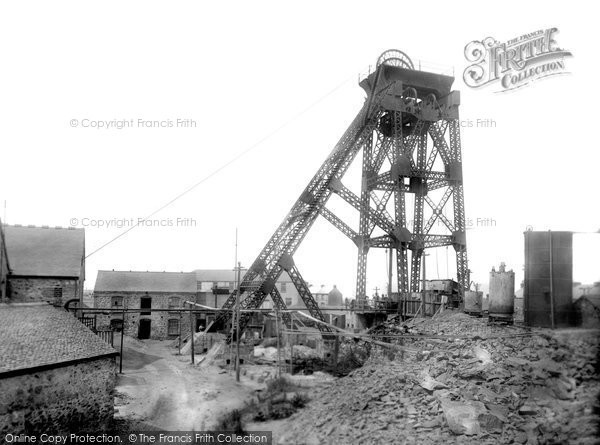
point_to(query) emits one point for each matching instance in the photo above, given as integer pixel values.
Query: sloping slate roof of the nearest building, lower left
(38, 334)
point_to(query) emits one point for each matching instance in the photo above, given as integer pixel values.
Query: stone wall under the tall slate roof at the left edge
(31, 289)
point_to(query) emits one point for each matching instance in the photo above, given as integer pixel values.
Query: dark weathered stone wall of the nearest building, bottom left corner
(59, 400)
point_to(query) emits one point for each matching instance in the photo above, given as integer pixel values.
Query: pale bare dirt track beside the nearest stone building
(164, 390)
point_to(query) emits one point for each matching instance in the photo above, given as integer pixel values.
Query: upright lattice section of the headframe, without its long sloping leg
(412, 153)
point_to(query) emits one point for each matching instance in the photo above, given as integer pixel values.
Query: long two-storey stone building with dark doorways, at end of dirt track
(149, 295)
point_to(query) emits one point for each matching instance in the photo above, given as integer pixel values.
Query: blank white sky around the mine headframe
(280, 79)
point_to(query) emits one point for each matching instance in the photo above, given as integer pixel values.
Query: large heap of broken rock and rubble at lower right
(468, 383)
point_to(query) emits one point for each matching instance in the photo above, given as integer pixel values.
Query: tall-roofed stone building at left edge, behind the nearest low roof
(46, 264)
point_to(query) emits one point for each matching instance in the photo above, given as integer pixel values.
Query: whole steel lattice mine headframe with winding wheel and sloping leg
(408, 131)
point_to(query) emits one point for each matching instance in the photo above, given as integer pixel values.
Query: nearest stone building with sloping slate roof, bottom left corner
(56, 376)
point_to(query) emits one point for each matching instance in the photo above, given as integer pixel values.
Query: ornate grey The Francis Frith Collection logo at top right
(515, 63)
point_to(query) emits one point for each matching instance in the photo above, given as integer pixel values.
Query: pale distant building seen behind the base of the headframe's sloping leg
(215, 286)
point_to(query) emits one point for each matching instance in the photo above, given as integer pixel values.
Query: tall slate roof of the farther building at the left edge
(45, 251)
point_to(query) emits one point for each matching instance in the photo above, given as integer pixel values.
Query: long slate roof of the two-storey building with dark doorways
(132, 281)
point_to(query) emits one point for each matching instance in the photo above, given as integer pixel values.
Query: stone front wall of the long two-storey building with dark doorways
(159, 319)
